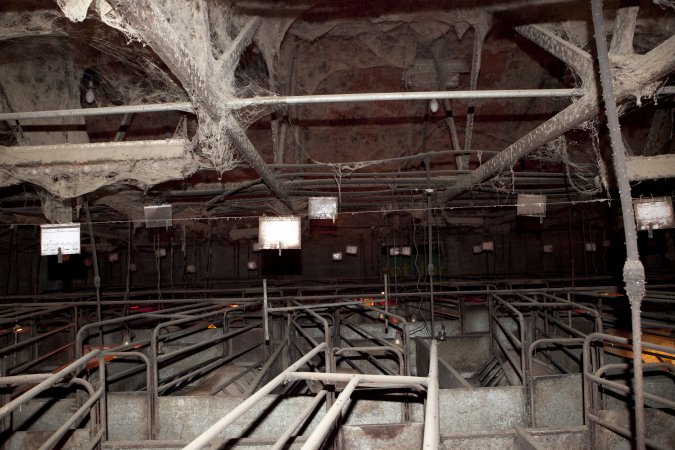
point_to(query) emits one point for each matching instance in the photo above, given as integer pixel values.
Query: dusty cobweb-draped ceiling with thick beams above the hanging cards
(225, 160)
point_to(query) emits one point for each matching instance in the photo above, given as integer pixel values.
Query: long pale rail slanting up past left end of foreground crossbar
(214, 430)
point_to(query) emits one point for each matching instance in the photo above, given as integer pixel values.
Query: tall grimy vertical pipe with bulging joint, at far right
(633, 270)
